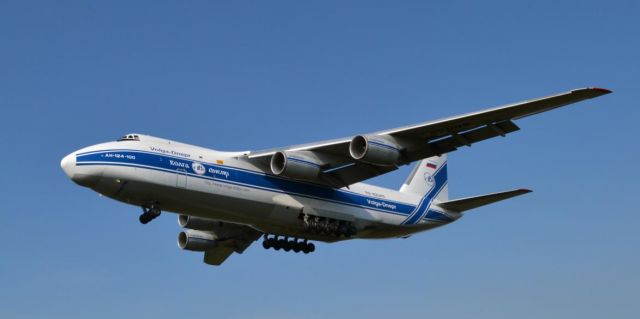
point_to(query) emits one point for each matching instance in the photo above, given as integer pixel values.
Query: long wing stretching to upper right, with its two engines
(339, 163)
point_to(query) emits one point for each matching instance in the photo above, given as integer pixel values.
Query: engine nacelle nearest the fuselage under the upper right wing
(296, 165)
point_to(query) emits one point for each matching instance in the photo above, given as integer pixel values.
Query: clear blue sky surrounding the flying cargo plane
(235, 75)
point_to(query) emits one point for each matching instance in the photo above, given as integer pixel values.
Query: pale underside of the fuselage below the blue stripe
(266, 210)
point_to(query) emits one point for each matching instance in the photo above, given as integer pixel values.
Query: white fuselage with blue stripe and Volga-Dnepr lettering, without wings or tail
(200, 182)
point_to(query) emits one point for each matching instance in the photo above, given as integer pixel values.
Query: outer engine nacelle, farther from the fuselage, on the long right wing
(374, 150)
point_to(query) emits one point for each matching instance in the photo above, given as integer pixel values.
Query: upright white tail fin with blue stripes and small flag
(430, 173)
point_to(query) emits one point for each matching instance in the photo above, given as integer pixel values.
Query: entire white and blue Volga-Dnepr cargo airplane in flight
(293, 195)
